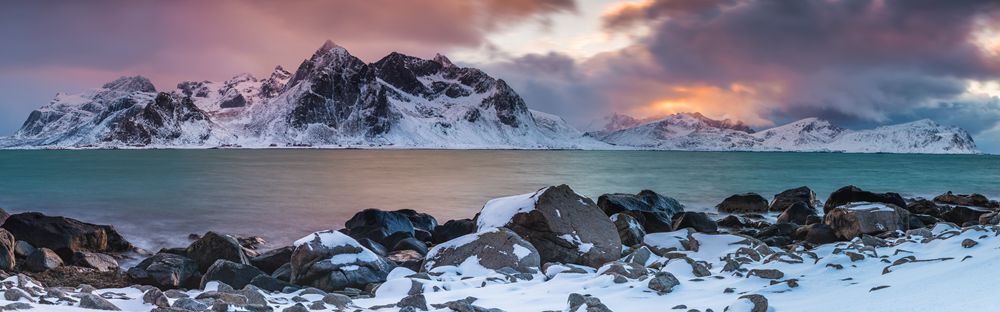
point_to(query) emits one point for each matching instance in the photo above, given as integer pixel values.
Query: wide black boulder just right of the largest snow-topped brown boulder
(653, 211)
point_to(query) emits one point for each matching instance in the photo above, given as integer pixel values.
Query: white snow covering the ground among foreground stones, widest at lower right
(936, 273)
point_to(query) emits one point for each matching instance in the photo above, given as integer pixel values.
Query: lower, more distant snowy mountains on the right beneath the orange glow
(693, 131)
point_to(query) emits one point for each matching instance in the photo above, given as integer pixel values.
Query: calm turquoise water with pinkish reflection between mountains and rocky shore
(157, 197)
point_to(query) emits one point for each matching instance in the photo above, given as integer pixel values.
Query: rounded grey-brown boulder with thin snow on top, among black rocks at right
(852, 220)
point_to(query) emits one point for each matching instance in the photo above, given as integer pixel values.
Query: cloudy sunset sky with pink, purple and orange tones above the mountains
(857, 63)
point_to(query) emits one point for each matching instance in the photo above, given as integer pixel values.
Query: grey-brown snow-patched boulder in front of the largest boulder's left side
(493, 248)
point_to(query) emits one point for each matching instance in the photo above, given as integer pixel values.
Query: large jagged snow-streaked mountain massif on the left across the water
(333, 99)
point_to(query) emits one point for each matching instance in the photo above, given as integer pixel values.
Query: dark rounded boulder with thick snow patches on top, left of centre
(330, 260)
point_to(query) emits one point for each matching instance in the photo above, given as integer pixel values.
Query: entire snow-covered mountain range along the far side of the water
(336, 100)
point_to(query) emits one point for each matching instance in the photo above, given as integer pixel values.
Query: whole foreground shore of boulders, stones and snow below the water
(549, 250)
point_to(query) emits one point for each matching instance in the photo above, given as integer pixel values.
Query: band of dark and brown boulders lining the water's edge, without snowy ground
(549, 231)
